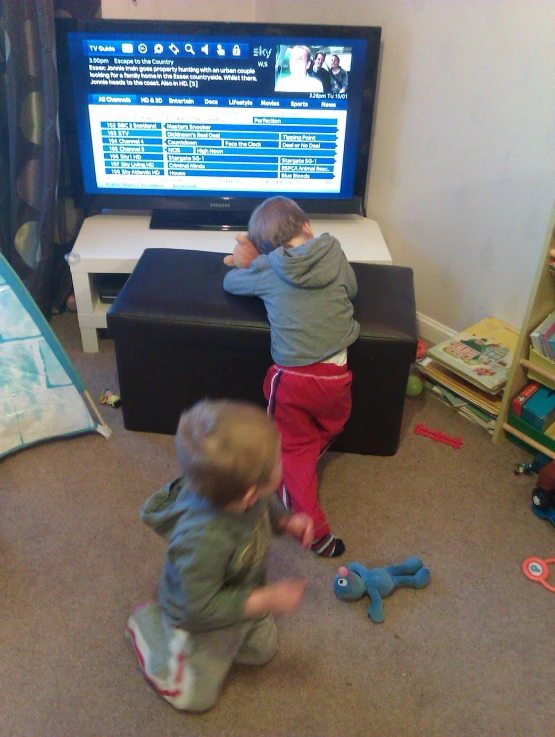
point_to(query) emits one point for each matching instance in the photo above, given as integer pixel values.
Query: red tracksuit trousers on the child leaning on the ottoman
(311, 405)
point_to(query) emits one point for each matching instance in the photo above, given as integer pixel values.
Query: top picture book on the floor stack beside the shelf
(482, 354)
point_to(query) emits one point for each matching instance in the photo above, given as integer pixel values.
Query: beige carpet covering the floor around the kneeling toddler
(473, 654)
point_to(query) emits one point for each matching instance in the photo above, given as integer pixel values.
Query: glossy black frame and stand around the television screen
(189, 210)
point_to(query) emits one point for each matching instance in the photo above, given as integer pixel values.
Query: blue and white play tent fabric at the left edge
(41, 393)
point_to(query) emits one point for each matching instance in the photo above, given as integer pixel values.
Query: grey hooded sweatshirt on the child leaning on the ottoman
(307, 291)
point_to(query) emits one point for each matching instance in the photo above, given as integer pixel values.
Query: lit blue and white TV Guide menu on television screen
(202, 114)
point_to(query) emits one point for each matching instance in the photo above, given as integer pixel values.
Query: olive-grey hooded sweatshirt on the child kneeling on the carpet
(215, 558)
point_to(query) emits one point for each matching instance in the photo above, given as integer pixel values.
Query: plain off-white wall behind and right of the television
(462, 177)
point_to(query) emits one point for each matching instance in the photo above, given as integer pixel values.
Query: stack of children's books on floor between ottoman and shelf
(469, 371)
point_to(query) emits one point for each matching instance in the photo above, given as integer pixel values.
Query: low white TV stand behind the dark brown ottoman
(113, 243)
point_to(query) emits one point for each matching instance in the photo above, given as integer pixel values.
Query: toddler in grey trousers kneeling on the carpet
(214, 606)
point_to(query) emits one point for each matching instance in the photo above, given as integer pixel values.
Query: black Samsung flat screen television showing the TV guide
(201, 121)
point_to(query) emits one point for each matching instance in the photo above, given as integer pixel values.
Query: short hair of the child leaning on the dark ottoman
(275, 222)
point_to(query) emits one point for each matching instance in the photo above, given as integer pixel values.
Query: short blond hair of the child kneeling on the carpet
(225, 447)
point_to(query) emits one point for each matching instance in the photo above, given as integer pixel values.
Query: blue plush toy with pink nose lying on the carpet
(355, 580)
